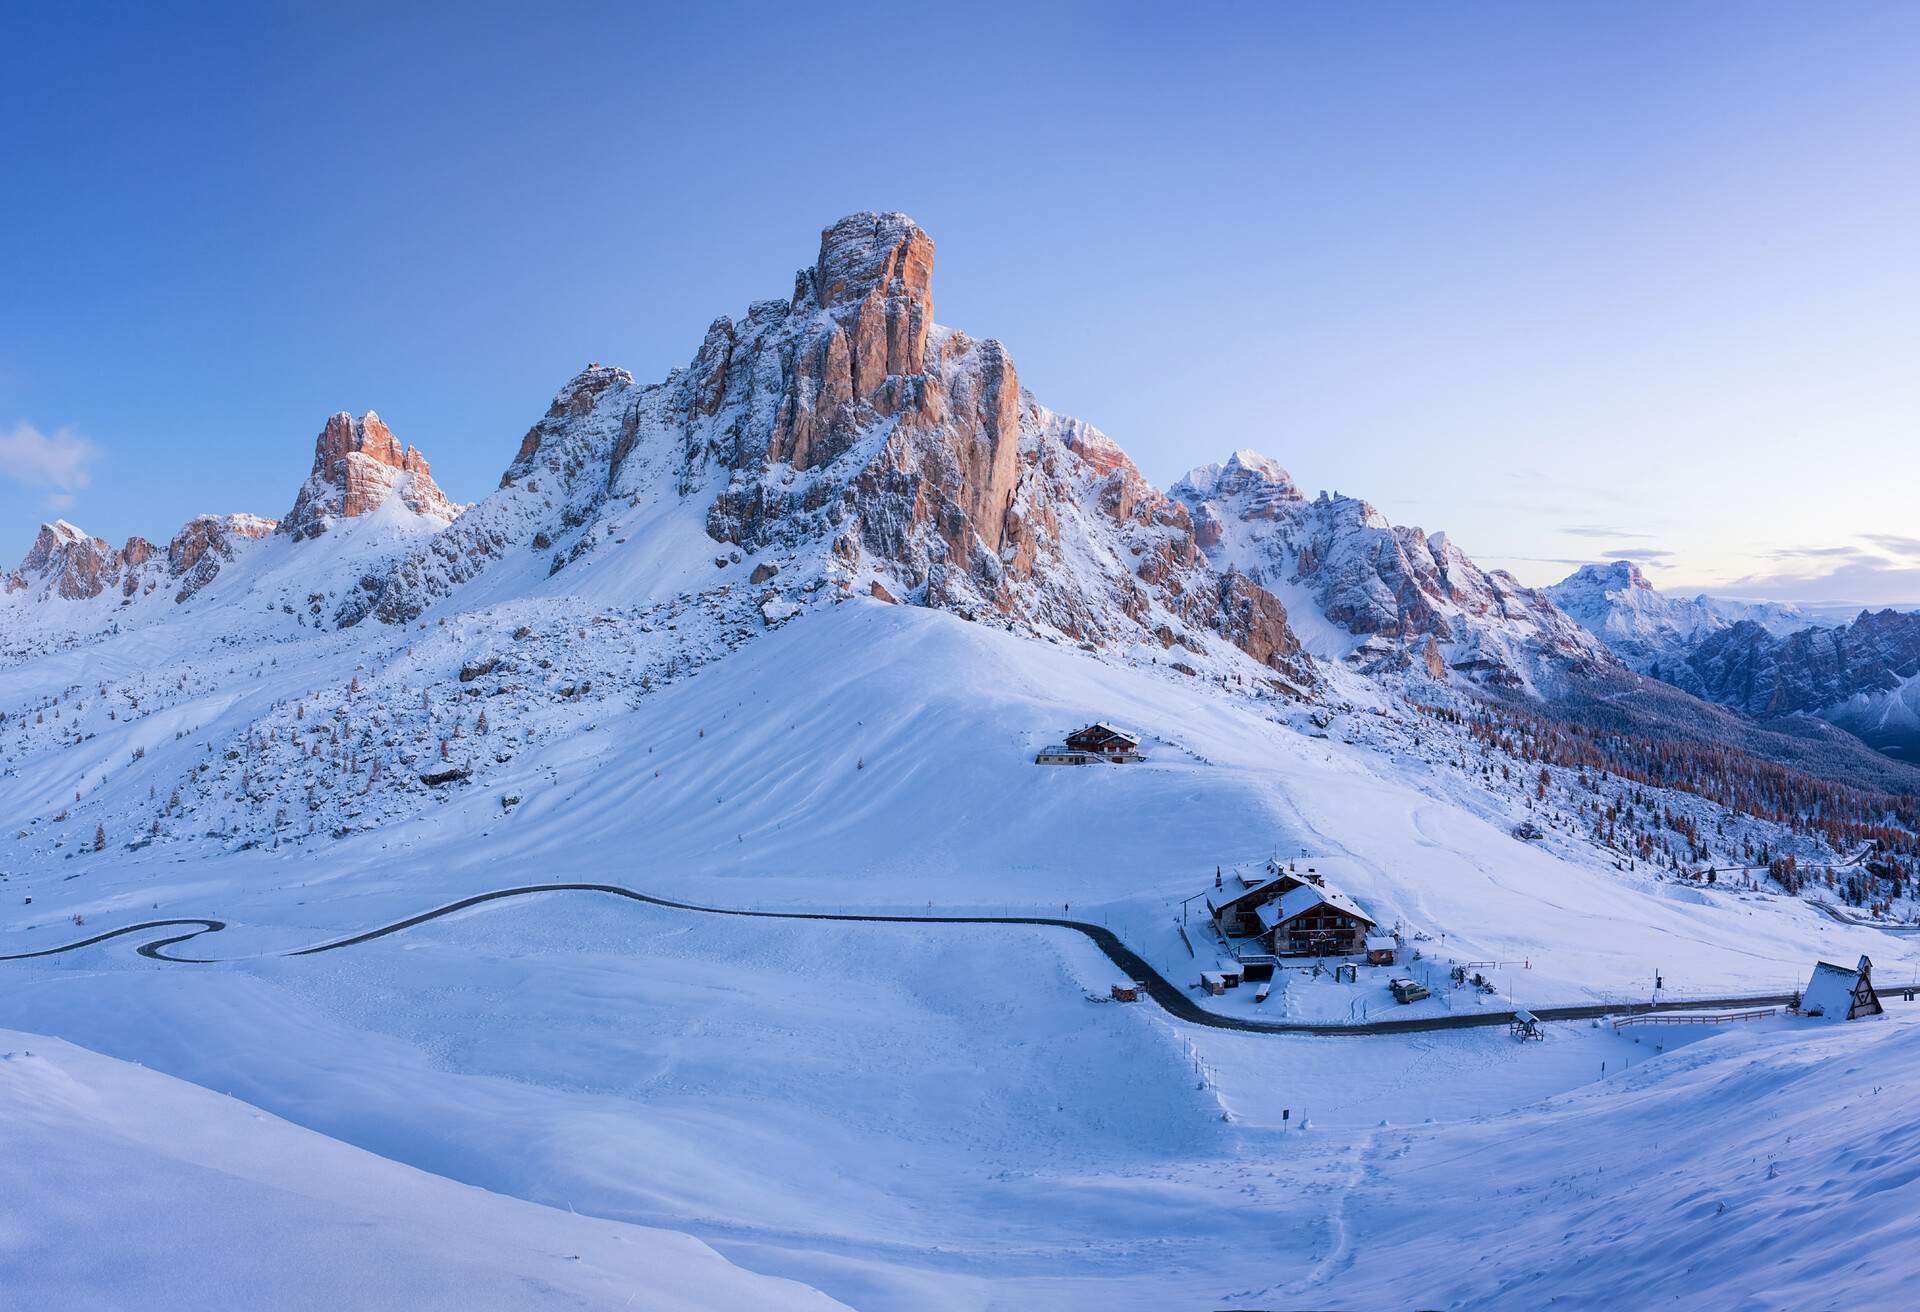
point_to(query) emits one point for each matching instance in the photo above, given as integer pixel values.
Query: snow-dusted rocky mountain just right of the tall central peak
(1412, 602)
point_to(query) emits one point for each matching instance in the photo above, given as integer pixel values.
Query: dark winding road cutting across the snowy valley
(1124, 958)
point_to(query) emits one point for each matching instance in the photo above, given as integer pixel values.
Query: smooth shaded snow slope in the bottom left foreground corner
(126, 1188)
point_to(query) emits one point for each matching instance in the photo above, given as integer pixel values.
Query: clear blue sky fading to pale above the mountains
(1570, 281)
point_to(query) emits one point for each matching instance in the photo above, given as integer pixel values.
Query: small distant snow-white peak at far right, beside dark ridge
(1652, 631)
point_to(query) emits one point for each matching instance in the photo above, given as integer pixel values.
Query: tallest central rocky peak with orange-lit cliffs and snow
(848, 433)
